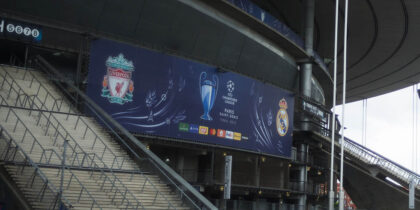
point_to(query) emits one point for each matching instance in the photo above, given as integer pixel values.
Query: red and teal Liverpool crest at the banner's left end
(117, 84)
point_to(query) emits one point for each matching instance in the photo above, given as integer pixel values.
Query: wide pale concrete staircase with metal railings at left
(60, 158)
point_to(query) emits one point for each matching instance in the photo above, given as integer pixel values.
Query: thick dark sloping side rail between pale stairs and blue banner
(187, 192)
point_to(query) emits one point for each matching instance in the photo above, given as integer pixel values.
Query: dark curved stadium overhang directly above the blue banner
(167, 26)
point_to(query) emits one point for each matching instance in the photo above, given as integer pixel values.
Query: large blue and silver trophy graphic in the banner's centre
(208, 92)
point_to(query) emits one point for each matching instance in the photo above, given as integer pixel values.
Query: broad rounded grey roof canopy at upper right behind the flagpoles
(383, 42)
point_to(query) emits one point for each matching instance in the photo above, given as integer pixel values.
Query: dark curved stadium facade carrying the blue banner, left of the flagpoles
(198, 81)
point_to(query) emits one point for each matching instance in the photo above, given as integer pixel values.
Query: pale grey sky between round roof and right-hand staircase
(389, 125)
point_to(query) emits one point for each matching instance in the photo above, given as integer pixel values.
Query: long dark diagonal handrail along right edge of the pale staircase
(112, 125)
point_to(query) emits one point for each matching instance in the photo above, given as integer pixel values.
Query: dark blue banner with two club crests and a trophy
(157, 94)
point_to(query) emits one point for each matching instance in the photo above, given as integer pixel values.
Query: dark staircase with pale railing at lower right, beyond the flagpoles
(375, 182)
